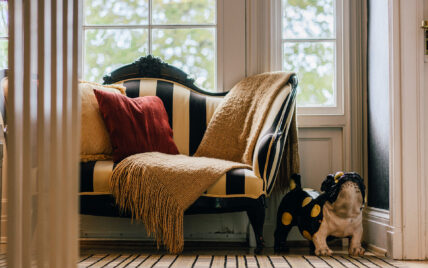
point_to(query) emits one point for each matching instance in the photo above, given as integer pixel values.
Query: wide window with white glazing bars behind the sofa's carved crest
(181, 32)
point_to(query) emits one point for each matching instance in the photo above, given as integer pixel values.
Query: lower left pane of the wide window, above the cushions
(105, 50)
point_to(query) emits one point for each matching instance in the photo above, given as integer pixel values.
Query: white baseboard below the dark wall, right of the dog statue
(376, 226)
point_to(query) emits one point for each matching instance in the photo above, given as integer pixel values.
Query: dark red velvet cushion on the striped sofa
(135, 125)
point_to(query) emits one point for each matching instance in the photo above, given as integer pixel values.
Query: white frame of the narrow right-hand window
(341, 61)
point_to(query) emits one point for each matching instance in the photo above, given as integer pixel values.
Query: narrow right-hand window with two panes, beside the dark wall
(312, 47)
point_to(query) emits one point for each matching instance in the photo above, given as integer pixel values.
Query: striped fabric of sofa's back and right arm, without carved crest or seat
(190, 112)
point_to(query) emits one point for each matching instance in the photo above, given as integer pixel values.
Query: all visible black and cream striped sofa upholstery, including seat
(189, 113)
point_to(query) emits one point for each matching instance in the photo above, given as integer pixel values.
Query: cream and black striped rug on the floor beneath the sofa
(199, 261)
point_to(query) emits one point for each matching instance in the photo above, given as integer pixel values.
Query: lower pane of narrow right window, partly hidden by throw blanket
(314, 64)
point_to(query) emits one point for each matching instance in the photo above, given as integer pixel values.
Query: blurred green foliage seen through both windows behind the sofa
(308, 47)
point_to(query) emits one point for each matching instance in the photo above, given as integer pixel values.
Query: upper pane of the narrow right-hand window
(308, 19)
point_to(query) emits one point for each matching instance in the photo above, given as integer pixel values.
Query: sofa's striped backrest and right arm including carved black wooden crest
(190, 109)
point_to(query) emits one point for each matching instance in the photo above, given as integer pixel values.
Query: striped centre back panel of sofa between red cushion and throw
(189, 111)
